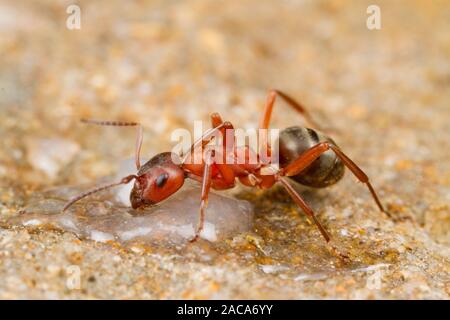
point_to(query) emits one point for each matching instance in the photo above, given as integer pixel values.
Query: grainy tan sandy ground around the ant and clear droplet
(384, 94)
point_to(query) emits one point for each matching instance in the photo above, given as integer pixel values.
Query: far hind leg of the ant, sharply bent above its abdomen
(266, 116)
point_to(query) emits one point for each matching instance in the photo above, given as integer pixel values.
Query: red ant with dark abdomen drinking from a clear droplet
(307, 156)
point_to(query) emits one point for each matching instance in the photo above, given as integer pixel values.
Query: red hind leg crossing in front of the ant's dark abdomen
(308, 157)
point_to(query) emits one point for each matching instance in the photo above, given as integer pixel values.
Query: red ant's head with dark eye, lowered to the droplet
(156, 180)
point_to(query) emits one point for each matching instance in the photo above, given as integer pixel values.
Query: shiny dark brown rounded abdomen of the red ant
(323, 172)
